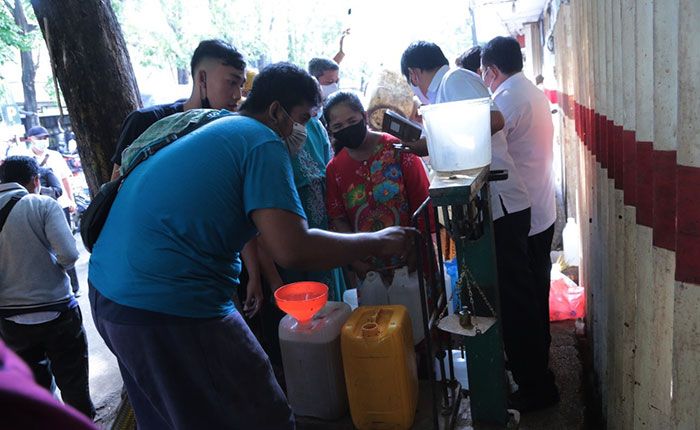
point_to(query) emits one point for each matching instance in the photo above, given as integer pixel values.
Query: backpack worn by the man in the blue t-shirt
(159, 135)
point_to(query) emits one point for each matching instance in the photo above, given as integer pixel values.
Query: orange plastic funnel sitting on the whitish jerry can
(302, 299)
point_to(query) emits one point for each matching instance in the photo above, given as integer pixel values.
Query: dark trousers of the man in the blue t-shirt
(191, 373)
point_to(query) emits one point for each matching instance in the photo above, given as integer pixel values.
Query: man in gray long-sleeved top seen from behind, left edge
(39, 317)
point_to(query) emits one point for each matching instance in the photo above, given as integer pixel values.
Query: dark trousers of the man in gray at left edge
(55, 349)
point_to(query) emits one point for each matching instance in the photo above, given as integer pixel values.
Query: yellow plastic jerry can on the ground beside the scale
(380, 367)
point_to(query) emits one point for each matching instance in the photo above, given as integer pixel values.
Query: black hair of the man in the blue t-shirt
(283, 82)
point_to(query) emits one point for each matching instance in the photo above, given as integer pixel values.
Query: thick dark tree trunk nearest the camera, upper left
(92, 65)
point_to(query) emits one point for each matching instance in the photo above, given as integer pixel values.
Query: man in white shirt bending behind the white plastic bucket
(426, 68)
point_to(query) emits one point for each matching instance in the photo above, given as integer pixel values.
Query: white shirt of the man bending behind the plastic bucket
(461, 84)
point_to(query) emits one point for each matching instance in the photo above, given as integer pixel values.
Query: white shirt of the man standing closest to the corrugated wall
(529, 132)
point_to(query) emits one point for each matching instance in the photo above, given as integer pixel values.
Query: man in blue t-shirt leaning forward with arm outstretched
(166, 264)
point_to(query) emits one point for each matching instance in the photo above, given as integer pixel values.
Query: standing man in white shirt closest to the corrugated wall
(529, 133)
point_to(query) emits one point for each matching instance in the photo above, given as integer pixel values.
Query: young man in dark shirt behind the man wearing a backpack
(218, 74)
